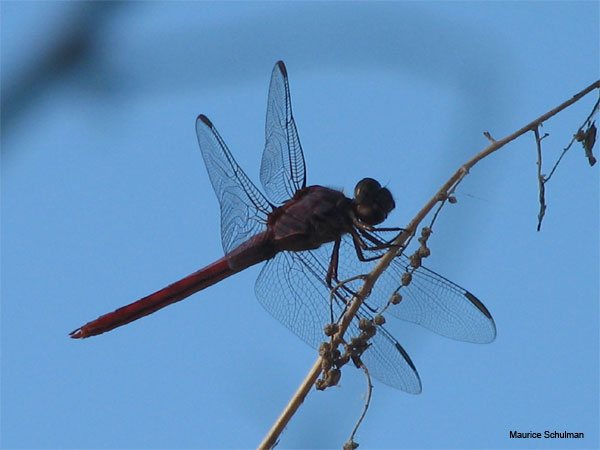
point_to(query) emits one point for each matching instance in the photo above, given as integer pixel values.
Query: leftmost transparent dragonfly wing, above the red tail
(244, 208)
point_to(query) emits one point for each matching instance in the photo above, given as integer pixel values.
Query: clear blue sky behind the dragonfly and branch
(105, 199)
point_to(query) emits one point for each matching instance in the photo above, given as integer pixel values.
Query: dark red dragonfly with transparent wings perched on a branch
(309, 238)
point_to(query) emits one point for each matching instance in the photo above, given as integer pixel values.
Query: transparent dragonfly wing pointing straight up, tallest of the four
(282, 170)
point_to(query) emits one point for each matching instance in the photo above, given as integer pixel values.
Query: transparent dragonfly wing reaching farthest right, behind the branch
(429, 300)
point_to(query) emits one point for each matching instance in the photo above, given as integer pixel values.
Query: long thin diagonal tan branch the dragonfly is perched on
(271, 437)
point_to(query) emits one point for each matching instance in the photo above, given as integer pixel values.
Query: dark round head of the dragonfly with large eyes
(372, 203)
